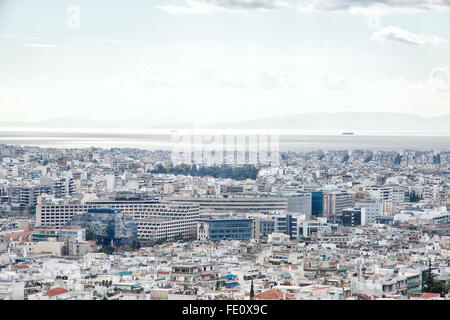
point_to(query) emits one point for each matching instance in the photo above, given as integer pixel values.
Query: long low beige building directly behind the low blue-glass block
(236, 203)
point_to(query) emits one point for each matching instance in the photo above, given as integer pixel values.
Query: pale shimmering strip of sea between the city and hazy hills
(165, 139)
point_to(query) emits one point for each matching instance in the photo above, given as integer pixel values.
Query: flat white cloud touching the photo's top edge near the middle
(207, 6)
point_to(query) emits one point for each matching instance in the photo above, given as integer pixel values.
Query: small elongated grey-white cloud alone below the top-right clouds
(391, 33)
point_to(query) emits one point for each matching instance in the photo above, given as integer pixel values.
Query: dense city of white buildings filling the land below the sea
(127, 224)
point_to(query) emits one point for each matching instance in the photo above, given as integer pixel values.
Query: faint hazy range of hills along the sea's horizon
(339, 121)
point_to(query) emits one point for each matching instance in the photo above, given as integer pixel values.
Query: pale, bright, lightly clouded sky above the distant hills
(221, 60)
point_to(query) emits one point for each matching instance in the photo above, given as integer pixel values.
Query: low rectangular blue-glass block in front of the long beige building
(224, 228)
